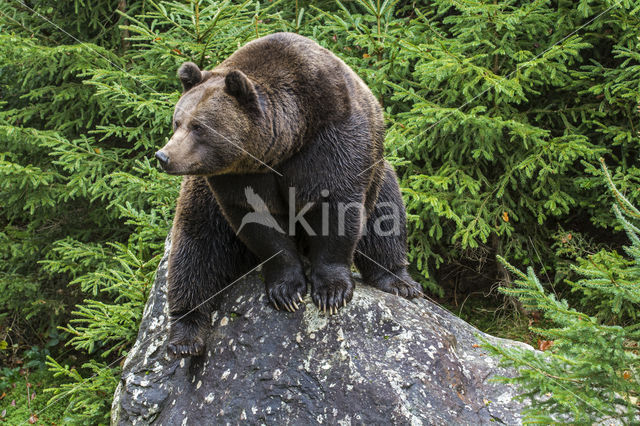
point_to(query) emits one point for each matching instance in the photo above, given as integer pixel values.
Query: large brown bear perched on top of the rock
(281, 146)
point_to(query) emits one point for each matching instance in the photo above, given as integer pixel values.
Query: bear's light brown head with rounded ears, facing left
(214, 123)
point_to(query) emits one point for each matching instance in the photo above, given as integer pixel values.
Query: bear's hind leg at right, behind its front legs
(381, 253)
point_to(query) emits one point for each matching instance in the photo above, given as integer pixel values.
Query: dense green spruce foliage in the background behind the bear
(496, 111)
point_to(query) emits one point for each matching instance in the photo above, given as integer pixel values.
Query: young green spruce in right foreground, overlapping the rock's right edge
(590, 373)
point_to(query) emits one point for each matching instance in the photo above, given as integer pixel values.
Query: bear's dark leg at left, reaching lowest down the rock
(205, 257)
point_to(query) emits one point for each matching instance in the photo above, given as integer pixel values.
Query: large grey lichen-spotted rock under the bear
(381, 359)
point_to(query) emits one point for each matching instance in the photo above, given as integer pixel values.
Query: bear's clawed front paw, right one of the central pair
(331, 287)
